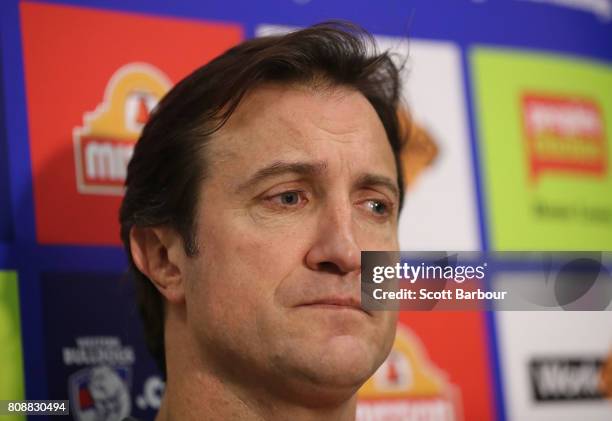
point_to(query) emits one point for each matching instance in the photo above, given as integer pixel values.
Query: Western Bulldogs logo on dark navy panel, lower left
(100, 391)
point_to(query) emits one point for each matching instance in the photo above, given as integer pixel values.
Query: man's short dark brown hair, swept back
(169, 160)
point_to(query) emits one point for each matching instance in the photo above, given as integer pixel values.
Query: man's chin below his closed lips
(331, 350)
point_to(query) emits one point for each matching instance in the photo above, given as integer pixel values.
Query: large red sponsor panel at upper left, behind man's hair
(92, 78)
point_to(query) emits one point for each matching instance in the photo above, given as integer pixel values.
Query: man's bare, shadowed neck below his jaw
(194, 391)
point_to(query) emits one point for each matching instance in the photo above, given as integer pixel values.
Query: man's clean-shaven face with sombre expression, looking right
(298, 183)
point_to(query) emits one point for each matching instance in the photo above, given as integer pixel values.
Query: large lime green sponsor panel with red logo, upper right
(545, 139)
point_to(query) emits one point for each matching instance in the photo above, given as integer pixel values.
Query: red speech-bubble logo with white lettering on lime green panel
(564, 135)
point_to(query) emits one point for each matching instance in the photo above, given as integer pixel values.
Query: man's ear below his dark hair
(159, 254)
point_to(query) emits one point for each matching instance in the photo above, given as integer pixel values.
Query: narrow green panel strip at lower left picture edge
(11, 358)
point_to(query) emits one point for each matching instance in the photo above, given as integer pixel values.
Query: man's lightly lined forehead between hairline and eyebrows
(284, 116)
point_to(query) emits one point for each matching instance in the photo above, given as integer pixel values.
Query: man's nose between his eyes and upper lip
(334, 248)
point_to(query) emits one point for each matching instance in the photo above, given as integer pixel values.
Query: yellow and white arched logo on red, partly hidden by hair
(104, 144)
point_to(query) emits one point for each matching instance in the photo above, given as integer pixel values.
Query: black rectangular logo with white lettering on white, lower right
(565, 379)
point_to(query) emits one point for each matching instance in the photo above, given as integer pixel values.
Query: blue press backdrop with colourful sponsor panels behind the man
(513, 98)
